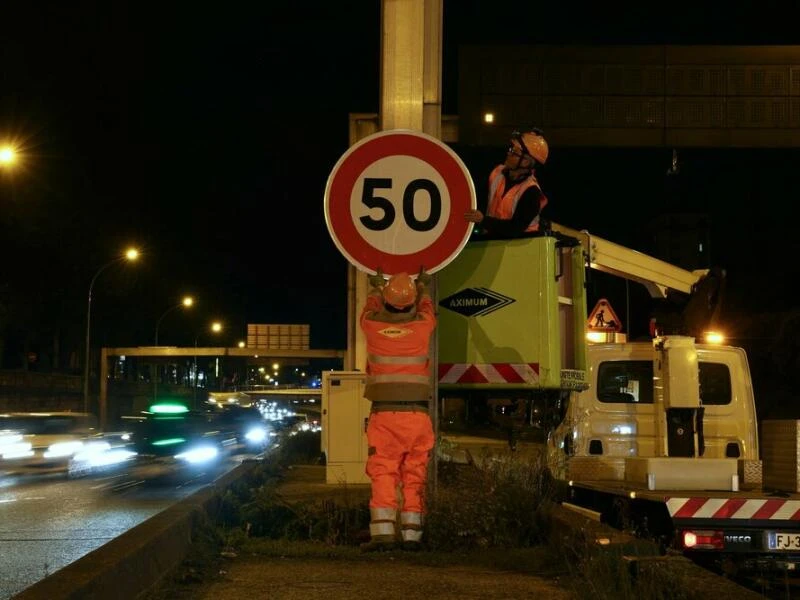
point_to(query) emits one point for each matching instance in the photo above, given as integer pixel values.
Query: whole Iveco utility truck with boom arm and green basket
(659, 436)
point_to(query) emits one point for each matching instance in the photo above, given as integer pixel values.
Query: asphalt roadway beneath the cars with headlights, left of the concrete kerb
(47, 522)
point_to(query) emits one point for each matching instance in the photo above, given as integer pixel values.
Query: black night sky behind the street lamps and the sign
(204, 134)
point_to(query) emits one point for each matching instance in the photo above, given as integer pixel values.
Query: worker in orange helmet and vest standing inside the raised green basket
(515, 198)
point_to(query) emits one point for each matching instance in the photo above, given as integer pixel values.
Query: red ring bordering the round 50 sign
(459, 188)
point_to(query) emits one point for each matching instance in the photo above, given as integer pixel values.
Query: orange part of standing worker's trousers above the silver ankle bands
(400, 444)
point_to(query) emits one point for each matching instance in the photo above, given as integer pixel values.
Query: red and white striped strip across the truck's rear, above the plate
(734, 508)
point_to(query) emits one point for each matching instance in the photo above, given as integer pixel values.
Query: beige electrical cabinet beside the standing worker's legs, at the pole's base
(345, 412)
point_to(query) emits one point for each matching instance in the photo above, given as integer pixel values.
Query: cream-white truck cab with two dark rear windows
(616, 416)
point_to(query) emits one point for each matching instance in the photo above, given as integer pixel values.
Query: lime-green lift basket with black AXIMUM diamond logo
(513, 316)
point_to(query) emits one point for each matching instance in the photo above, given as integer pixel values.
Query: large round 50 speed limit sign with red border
(396, 201)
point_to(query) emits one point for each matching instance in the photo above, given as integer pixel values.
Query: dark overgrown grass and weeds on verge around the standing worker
(496, 516)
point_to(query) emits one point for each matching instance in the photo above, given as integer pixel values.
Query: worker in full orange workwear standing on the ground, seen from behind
(398, 320)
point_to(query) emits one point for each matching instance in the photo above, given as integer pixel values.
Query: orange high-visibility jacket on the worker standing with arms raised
(398, 367)
